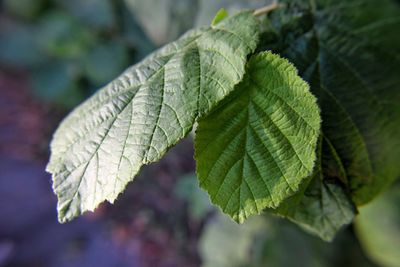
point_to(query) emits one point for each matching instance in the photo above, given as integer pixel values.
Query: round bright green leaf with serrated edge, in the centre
(254, 150)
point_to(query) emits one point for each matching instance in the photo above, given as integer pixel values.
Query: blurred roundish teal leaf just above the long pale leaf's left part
(56, 82)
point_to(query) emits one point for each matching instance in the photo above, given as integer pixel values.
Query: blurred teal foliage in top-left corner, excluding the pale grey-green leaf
(70, 48)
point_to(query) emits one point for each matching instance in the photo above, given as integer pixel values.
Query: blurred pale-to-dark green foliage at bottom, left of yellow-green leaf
(269, 241)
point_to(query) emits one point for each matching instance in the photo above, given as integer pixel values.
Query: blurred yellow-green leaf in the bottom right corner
(378, 228)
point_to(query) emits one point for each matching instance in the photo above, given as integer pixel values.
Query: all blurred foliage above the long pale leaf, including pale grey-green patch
(72, 48)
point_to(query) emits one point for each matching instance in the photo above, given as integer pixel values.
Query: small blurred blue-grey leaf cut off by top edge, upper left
(94, 13)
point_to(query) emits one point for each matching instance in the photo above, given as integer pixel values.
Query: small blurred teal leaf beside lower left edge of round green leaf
(187, 188)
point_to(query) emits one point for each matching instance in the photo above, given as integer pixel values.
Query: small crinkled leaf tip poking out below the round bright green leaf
(320, 207)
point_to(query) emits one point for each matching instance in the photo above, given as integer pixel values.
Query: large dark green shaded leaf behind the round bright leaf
(349, 54)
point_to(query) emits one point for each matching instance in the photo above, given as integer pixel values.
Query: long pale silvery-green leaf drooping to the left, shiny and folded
(133, 121)
